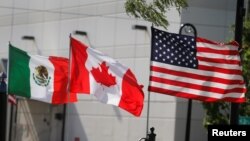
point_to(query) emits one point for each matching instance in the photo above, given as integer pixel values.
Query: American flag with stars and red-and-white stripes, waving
(197, 69)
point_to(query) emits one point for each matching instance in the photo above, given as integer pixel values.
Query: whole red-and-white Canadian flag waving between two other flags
(110, 82)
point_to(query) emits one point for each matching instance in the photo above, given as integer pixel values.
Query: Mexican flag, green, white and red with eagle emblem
(38, 77)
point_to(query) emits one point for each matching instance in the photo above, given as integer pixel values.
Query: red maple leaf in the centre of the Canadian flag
(102, 75)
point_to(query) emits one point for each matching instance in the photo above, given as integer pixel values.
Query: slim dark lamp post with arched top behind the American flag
(188, 28)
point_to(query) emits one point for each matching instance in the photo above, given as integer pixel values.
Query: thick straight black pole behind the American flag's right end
(240, 12)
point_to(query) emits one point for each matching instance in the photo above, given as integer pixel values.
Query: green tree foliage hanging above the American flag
(153, 12)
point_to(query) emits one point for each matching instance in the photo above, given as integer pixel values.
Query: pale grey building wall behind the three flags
(110, 30)
